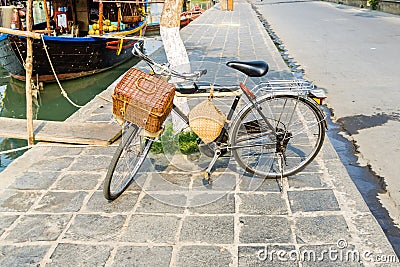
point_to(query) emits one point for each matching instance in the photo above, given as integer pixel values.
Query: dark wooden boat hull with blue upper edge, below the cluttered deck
(71, 57)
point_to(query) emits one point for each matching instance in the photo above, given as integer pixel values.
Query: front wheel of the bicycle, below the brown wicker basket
(126, 162)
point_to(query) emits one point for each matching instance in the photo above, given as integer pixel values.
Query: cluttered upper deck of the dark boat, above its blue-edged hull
(75, 17)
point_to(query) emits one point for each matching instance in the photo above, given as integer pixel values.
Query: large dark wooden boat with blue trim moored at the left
(63, 52)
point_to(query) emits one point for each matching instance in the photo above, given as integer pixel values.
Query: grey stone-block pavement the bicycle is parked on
(52, 211)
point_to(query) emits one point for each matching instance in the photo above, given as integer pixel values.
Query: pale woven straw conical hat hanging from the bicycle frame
(207, 121)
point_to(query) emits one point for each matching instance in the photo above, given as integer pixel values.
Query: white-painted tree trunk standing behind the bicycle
(175, 49)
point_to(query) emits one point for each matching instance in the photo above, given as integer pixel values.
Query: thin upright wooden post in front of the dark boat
(28, 68)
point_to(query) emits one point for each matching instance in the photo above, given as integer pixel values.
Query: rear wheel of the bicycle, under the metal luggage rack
(254, 145)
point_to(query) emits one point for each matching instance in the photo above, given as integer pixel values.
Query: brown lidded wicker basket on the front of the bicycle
(143, 99)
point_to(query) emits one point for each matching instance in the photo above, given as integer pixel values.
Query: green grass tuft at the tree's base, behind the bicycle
(169, 142)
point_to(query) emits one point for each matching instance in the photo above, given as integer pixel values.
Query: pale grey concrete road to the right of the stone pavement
(355, 55)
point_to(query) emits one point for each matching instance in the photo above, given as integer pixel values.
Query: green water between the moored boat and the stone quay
(51, 105)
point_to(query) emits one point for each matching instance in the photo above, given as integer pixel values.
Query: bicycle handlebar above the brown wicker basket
(164, 69)
